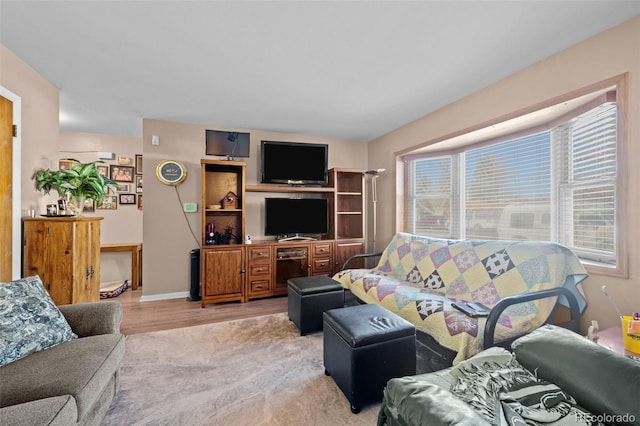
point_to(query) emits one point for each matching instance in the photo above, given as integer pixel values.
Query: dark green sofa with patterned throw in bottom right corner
(552, 376)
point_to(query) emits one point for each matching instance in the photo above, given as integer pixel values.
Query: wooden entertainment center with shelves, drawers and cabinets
(234, 271)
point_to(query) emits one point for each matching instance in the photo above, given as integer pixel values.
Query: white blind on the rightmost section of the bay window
(587, 186)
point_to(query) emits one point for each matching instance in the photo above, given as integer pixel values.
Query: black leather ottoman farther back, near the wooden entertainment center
(309, 297)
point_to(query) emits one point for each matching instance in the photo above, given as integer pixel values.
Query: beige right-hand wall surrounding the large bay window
(608, 54)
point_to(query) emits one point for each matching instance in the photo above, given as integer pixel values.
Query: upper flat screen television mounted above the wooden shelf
(294, 163)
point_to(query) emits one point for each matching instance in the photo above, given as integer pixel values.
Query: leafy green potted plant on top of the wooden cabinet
(82, 181)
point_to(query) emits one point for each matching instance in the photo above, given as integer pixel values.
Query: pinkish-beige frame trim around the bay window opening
(440, 147)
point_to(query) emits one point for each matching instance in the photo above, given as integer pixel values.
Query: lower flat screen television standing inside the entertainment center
(296, 218)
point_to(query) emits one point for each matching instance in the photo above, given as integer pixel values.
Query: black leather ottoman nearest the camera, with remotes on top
(364, 347)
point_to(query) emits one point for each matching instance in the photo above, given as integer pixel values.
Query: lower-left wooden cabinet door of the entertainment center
(223, 275)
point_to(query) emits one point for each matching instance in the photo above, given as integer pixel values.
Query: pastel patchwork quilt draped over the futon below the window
(419, 277)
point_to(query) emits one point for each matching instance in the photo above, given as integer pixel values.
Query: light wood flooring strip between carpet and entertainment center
(142, 317)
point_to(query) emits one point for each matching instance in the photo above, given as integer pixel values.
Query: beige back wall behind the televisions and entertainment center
(167, 234)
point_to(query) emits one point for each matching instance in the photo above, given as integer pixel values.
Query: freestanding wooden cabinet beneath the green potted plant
(65, 253)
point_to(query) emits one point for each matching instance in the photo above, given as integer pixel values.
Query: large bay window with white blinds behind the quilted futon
(555, 182)
